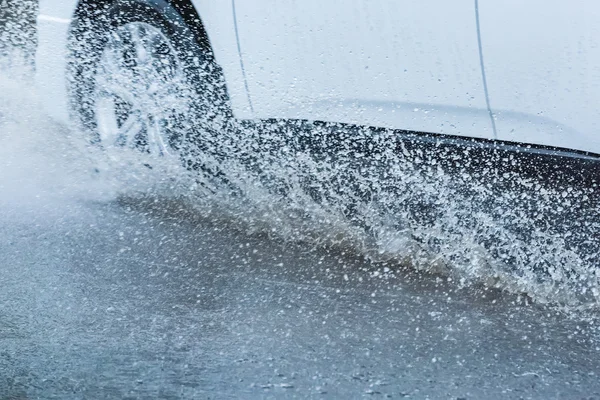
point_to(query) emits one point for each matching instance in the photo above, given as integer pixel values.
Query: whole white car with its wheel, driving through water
(500, 72)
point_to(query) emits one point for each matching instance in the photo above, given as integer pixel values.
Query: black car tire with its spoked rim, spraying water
(138, 80)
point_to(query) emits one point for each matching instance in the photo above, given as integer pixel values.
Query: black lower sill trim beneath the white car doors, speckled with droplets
(551, 165)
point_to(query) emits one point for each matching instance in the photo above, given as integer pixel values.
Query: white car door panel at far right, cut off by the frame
(542, 63)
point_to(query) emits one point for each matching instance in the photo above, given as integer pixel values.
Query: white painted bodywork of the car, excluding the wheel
(510, 71)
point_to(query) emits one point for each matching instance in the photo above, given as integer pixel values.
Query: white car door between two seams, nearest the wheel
(411, 64)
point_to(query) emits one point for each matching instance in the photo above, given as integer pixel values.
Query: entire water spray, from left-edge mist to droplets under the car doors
(382, 193)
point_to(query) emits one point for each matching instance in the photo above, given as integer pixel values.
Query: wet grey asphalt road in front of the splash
(139, 297)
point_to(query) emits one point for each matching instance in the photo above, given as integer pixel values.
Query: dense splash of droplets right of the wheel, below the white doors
(426, 206)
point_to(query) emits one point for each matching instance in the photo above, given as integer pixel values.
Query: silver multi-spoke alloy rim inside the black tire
(140, 96)
